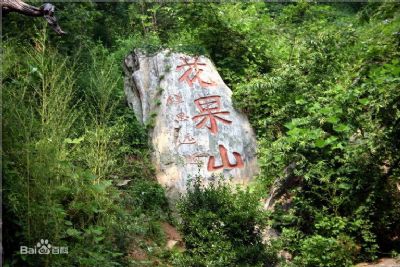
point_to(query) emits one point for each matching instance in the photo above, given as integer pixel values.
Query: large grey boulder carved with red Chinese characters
(196, 129)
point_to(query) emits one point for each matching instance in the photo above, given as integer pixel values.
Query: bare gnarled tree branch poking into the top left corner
(46, 11)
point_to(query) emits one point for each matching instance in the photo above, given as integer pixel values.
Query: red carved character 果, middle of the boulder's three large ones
(209, 107)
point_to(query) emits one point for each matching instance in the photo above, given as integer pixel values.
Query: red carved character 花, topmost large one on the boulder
(193, 73)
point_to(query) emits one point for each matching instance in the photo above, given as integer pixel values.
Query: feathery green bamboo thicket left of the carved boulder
(64, 156)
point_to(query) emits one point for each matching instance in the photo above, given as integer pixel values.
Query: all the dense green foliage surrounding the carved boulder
(319, 83)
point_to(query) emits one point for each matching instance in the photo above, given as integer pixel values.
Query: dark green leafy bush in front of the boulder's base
(222, 227)
